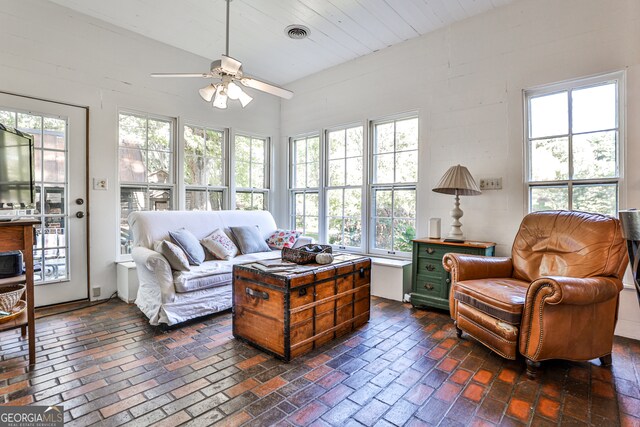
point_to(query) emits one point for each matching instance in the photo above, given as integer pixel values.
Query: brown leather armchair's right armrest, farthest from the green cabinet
(574, 290)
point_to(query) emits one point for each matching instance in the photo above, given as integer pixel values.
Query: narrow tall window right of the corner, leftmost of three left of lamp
(305, 181)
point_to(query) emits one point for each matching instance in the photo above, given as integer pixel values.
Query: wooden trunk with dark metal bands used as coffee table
(289, 314)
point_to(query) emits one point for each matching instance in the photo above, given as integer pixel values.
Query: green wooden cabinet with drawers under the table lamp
(430, 281)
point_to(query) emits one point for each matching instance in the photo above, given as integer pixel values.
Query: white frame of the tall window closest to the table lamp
(394, 186)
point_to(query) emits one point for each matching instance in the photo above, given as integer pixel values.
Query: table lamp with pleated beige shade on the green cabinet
(457, 180)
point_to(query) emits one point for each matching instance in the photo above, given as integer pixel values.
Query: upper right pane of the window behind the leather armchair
(594, 108)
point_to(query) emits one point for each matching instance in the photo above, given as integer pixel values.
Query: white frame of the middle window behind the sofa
(224, 188)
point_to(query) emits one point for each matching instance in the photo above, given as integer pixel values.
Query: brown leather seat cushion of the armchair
(502, 298)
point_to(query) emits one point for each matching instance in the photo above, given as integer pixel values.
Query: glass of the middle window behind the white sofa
(204, 168)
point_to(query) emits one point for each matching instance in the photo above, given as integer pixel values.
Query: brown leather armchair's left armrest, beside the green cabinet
(470, 267)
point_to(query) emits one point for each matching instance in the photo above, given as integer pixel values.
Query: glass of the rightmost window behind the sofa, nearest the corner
(251, 172)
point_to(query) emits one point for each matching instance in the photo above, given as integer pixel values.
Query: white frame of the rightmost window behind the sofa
(268, 157)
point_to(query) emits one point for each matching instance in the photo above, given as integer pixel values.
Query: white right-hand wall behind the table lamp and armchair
(466, 82)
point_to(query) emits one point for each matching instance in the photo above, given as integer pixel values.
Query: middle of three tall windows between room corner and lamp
(345, 160)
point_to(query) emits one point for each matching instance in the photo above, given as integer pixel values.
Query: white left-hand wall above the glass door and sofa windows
(51, 52)
